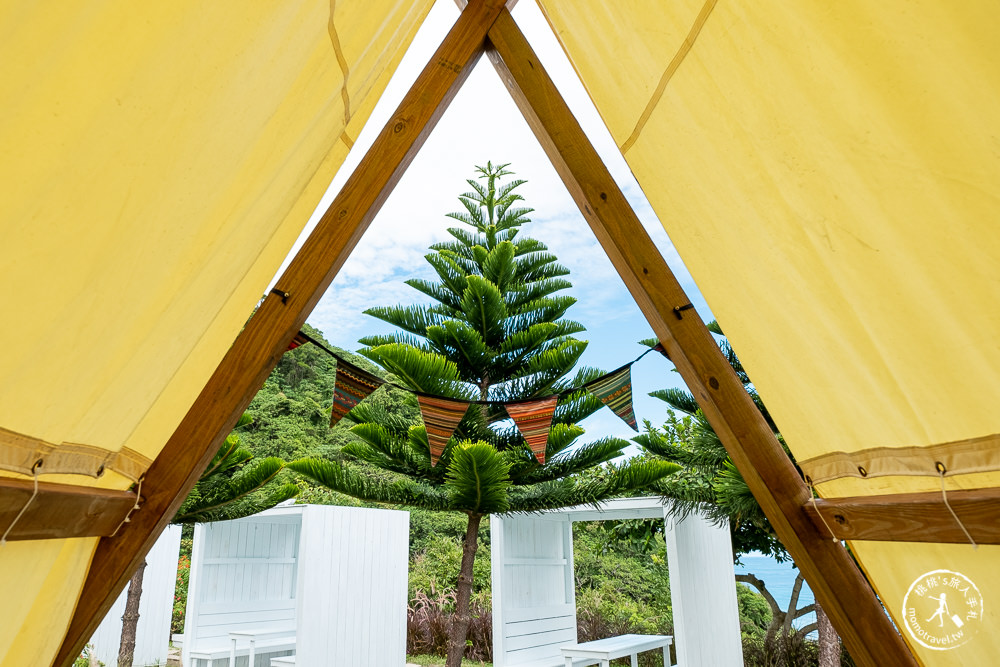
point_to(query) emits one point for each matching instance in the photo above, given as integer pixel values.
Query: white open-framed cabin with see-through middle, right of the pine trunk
(534, 601)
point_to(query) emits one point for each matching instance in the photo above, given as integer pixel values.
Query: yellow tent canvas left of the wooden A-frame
(159, 160)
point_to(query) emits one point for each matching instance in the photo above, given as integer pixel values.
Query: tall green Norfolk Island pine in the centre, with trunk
(495, 332)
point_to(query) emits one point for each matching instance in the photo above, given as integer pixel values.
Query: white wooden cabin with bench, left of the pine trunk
(314, 584)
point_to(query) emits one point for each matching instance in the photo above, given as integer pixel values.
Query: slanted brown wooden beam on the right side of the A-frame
(832, 575)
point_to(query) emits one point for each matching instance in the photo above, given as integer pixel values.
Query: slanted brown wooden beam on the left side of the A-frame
(266, 336)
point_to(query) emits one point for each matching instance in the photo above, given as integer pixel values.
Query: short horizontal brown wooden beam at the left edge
(60, 510)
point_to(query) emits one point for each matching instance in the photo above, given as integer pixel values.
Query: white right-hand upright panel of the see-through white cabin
(703, 593)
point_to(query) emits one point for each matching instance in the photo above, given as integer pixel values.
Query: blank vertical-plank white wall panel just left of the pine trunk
(352, 587)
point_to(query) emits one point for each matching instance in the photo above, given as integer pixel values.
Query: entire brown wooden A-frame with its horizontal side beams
(486, 27)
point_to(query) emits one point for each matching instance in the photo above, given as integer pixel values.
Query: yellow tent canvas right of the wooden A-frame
(830, 174)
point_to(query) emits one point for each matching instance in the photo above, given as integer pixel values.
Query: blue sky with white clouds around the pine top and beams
(483, 124)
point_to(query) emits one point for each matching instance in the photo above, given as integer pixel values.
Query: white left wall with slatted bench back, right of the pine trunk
(534, 599)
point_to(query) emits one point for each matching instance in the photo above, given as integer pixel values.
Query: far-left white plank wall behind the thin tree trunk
(152, 637)
